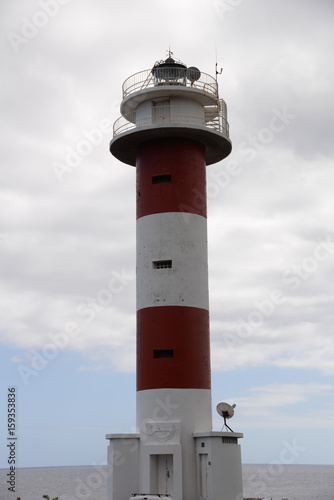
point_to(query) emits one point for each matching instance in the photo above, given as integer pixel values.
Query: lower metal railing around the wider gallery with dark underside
(215, 117)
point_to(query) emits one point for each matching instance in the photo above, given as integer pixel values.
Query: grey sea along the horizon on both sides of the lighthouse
(269, 482)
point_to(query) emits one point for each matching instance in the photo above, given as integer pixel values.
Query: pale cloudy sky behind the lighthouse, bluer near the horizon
(67, 223)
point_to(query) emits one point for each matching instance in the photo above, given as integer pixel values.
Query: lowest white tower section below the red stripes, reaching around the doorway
(166, 420)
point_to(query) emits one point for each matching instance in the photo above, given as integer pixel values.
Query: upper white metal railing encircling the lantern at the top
(168, 76)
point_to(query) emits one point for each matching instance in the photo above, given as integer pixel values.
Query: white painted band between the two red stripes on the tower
(181, 238)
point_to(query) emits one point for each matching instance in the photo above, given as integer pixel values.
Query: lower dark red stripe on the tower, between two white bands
(173, 348)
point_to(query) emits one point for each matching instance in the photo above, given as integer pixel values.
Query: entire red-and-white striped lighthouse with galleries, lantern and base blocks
(173, 124)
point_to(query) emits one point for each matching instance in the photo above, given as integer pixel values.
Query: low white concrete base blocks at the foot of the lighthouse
(218, 474)
